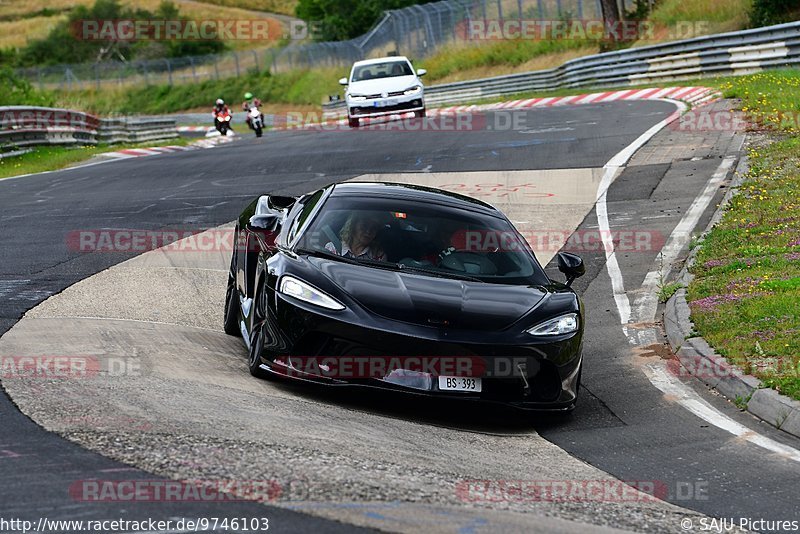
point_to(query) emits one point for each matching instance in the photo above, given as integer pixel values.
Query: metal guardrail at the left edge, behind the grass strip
(26, 126)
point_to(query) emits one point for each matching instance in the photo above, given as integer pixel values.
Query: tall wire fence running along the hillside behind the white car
(417, 31)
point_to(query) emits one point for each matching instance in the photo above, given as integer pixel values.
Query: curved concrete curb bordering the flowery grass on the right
(697, 357)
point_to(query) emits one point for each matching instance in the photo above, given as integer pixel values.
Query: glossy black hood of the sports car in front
(433, 301)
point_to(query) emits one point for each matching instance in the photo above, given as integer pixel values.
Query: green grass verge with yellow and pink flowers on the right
(746, 294)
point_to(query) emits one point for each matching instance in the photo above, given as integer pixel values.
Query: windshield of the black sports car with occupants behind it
(424, 238)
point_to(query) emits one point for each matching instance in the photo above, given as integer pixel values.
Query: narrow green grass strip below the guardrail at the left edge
(51, 158)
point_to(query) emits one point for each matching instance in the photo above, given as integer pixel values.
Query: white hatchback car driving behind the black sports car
(383, 86)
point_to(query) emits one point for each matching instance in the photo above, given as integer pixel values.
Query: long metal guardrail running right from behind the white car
(742, 52)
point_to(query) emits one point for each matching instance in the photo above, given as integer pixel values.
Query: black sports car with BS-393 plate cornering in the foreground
(403, 287)
